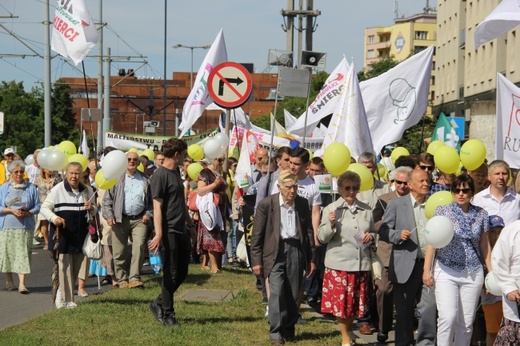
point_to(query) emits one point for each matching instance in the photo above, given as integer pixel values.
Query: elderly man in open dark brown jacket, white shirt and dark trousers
(281, 250)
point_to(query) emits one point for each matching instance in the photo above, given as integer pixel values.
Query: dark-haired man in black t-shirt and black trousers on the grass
(170, 217)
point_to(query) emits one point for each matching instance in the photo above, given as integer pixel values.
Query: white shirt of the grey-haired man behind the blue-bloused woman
(508, 208)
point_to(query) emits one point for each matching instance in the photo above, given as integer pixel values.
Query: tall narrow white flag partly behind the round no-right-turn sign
(199, 97)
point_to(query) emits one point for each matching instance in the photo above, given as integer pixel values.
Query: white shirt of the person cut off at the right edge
(505, 264)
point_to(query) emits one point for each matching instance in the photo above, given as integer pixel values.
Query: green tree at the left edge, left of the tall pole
(23, 120)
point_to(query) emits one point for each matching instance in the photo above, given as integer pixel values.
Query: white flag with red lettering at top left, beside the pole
(74, 33)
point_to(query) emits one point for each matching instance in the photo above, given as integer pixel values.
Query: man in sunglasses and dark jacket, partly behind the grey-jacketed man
(384, 287)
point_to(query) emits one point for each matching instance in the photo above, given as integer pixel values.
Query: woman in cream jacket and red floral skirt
(347, 229)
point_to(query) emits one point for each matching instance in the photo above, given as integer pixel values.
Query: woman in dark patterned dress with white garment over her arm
(210, 241)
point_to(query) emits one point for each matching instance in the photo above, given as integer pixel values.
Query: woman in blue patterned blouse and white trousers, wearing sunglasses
(457, 273)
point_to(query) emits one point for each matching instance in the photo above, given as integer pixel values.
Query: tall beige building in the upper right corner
(466, 77)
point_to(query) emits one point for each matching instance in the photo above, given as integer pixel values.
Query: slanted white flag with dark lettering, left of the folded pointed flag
(324, 103)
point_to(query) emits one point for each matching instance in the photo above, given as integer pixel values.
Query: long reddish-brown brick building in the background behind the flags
(135, 100)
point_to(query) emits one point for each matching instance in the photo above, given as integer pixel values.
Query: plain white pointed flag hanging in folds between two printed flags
(349, 124)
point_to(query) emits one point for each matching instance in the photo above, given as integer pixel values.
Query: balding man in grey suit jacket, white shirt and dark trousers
(403, 225)
